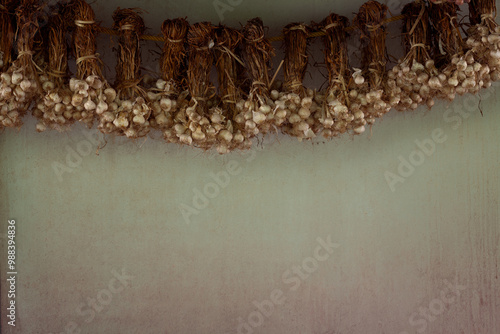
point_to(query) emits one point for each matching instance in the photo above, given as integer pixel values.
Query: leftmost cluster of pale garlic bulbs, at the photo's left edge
(17, 91)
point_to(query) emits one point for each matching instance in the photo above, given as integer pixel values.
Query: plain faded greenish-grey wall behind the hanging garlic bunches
(286, 238)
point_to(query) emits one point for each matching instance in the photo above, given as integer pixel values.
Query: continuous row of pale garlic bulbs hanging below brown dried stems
(304, 113)
